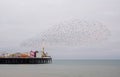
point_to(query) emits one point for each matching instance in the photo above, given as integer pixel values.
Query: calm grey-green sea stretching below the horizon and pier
(63, 68)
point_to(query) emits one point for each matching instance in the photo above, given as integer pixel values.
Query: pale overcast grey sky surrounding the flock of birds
(21, 20)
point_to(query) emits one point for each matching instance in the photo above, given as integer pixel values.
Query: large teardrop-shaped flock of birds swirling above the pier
(70, 33)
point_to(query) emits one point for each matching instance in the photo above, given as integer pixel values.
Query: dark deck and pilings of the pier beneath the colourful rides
(25, 60)
